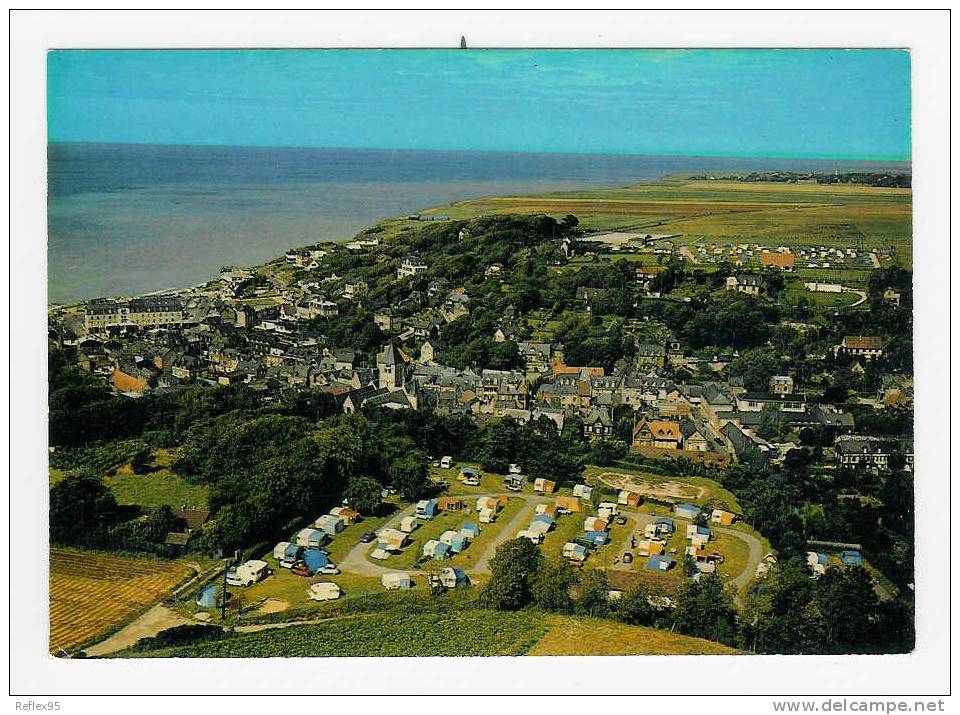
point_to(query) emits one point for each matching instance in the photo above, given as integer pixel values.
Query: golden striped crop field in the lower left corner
(91, 592)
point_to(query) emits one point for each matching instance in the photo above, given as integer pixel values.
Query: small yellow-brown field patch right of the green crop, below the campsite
(592, 636)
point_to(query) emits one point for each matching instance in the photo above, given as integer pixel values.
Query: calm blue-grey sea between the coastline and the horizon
(129, 219)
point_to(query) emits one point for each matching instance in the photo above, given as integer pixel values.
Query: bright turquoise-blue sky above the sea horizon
(807, 103)
